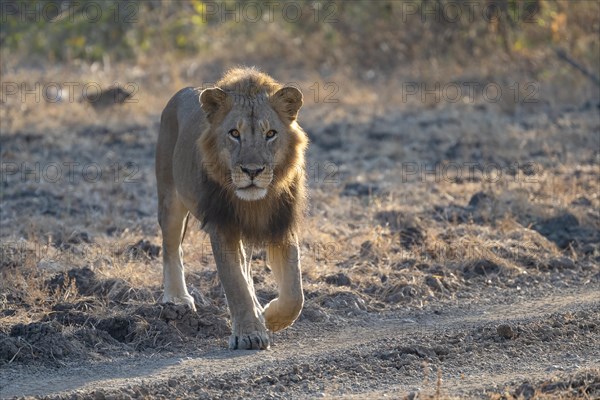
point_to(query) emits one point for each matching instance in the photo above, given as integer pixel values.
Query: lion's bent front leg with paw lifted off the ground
(284, 260)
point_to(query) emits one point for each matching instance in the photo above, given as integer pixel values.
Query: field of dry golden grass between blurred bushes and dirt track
(389, 226)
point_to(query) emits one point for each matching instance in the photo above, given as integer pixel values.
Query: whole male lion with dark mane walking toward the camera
(233, 157)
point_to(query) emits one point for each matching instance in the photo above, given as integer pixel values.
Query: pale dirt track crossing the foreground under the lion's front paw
(553, 333)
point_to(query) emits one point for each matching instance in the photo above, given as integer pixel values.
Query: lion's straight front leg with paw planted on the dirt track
(248, 326)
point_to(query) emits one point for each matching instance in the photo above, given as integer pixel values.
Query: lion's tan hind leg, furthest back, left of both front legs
(172, 216)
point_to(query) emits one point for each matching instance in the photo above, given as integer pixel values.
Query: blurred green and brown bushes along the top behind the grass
(364, 34)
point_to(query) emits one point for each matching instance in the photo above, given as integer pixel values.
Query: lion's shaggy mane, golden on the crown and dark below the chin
(276, 217)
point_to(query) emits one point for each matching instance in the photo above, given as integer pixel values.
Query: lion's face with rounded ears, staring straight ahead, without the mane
(252, 135)
